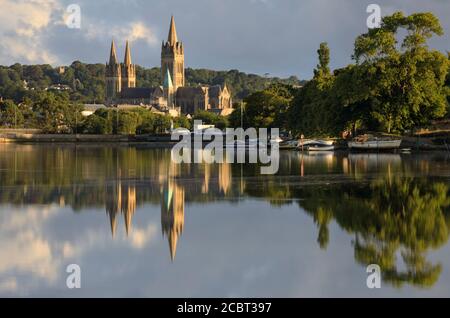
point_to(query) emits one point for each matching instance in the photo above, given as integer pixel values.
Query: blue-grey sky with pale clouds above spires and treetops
(276, 37)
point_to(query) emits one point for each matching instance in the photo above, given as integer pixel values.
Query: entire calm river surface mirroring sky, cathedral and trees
(139, 225)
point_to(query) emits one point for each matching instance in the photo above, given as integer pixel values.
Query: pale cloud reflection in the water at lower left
(32, 256)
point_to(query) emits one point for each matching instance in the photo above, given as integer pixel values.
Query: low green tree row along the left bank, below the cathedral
(54, 112)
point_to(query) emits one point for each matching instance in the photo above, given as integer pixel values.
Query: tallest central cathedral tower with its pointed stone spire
(172, 57)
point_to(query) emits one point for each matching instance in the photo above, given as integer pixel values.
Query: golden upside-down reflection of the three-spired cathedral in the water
(122, 194)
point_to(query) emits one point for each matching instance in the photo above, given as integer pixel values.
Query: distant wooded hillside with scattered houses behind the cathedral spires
(85, 83)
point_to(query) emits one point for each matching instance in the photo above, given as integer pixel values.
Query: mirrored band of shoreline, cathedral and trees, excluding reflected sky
(396, 208)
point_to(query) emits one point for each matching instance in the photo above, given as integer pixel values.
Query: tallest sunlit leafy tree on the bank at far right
(403, 86)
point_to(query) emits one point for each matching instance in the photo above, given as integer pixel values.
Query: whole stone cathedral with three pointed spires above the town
(173, 96)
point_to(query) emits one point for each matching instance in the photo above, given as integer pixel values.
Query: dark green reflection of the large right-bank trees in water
(389, 217)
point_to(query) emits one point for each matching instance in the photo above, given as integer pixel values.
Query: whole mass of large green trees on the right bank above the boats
(394, 86)
